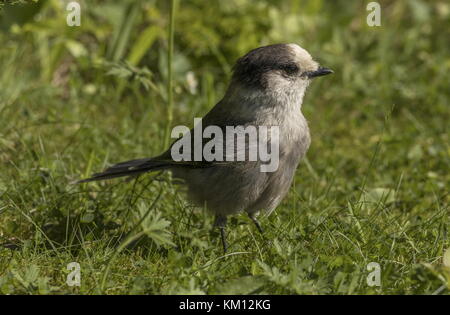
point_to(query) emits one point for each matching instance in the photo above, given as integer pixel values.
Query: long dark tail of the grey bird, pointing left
(128, 168)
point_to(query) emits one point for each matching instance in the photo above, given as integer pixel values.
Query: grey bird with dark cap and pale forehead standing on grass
(266, 88)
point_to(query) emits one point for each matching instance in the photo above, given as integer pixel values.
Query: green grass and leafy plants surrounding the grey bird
(374, 187)
